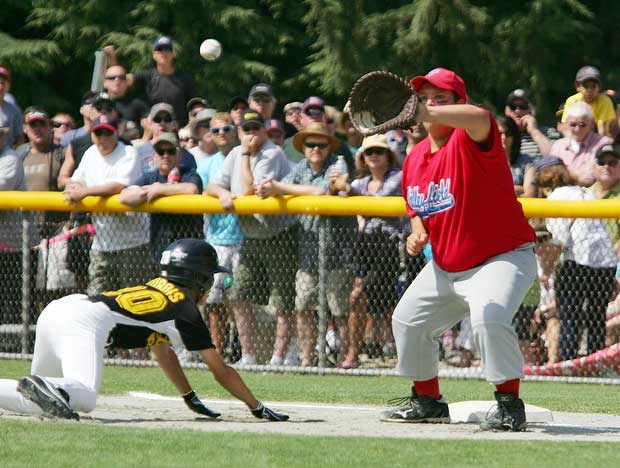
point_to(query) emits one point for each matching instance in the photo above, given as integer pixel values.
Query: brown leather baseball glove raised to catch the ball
(382, 101)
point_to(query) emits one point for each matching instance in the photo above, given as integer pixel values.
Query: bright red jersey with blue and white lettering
(465, 196)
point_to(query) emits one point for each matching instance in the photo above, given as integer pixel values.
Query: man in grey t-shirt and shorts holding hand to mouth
(268, 254)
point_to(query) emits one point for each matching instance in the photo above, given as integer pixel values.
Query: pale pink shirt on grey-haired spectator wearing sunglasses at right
(579, 157)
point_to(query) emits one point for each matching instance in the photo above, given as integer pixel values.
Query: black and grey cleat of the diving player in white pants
(49, 398)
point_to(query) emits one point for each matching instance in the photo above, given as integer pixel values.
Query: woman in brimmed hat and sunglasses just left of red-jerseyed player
(378, 250)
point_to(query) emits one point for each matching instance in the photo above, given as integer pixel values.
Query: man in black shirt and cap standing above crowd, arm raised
(164, 83)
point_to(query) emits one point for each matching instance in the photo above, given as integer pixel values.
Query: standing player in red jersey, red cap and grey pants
(459, 195)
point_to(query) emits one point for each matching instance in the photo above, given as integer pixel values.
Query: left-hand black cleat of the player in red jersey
(418, 409)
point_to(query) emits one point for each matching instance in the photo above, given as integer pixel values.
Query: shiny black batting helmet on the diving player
(191, 263)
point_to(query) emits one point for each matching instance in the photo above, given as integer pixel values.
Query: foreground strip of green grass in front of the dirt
(58, 444)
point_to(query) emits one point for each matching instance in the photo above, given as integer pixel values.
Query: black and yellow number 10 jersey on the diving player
(161, 306)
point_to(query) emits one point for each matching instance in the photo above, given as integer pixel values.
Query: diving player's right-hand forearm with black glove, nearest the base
(228, 378)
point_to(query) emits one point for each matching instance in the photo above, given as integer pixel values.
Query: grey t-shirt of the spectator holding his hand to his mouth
(270, 162)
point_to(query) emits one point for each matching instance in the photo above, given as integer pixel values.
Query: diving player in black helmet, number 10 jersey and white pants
(71, 334)
